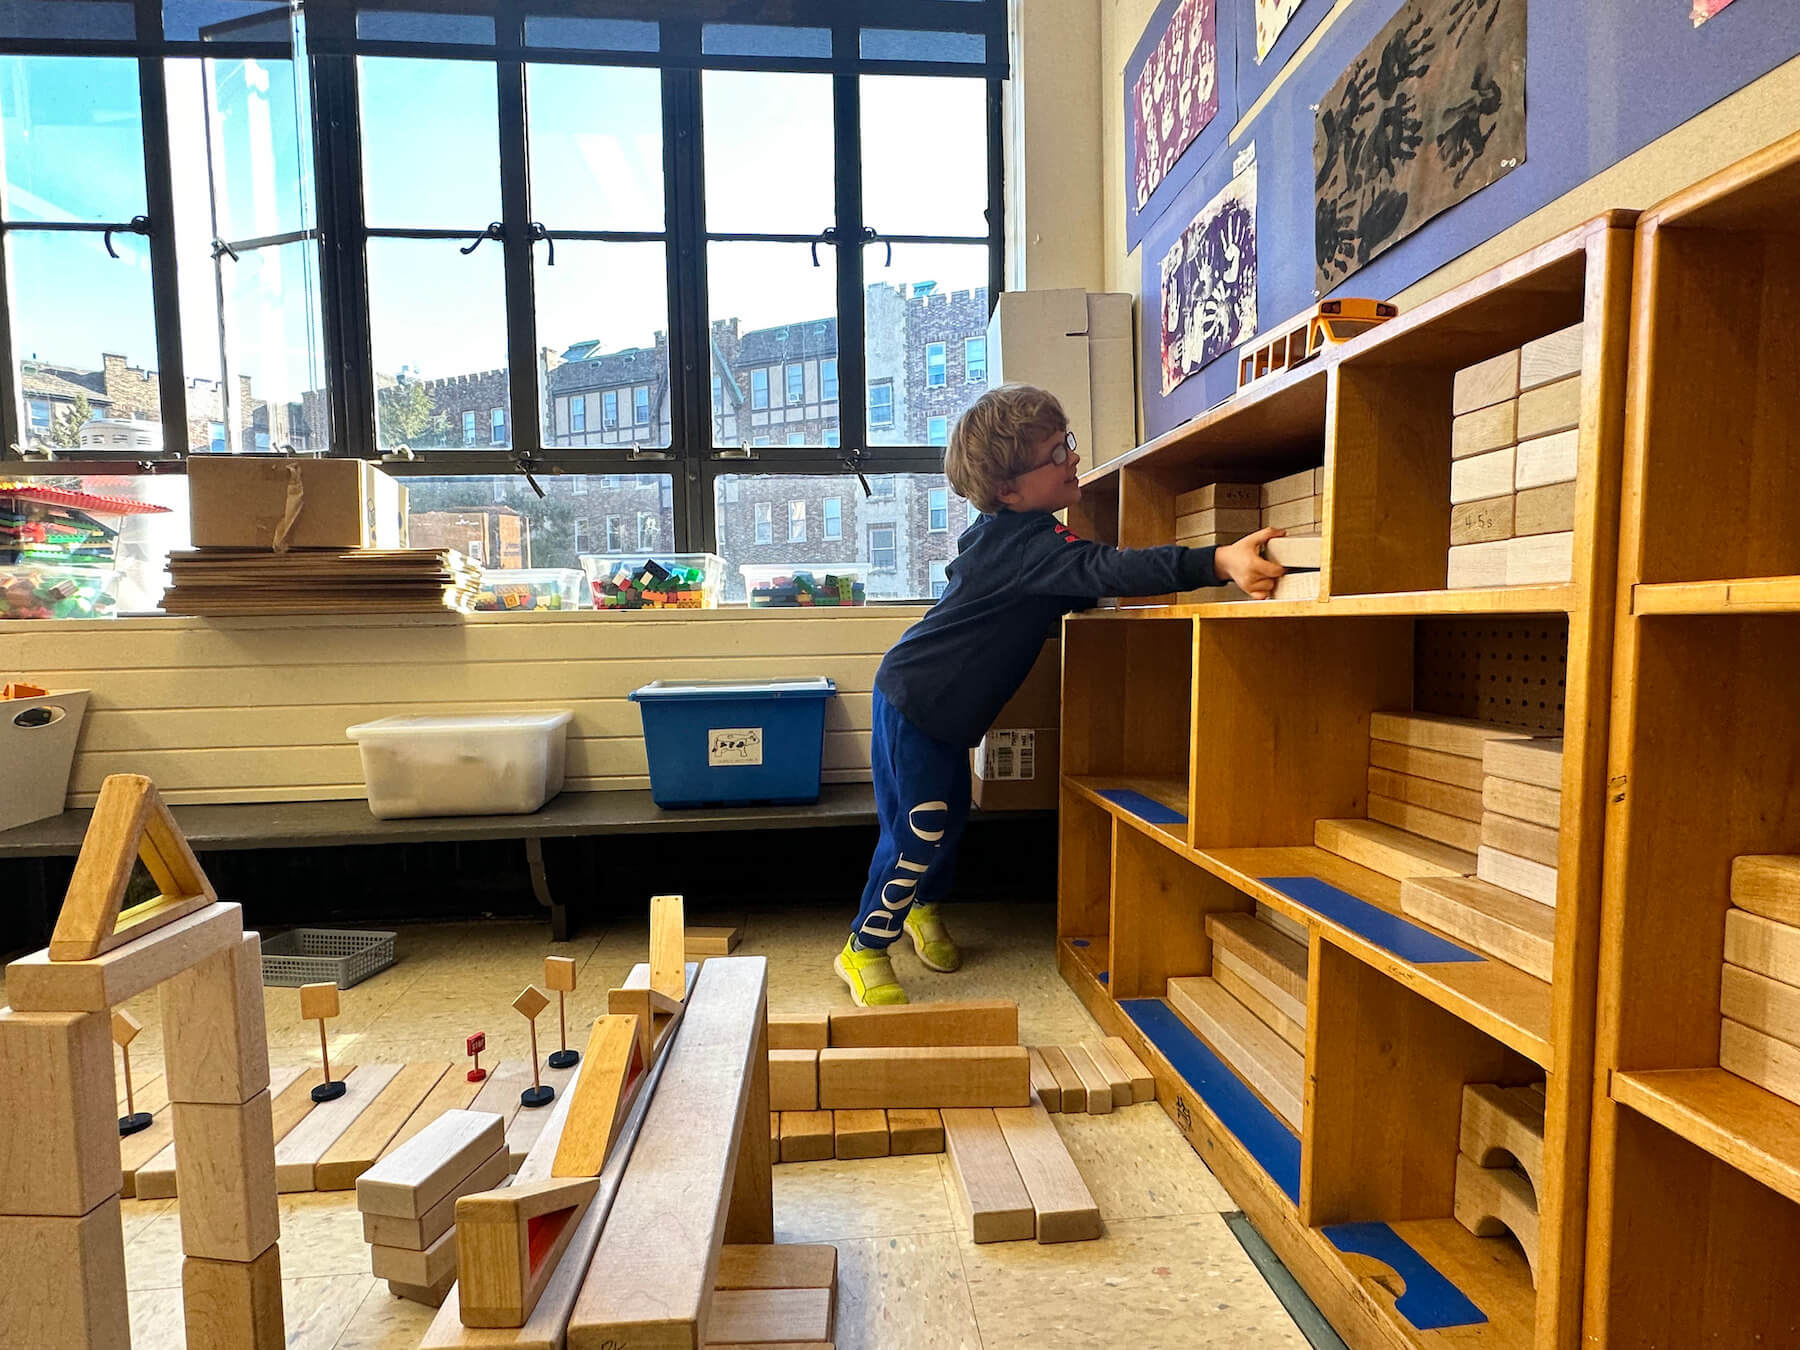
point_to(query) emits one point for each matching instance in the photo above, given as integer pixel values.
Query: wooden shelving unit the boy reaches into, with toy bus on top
(1203, 742)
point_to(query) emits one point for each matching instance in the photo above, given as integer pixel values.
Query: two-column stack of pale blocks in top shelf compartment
(1515, 453)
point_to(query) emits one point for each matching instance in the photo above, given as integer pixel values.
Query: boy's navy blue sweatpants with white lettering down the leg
(922, 800)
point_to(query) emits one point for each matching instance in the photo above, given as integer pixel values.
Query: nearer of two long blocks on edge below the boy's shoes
(924, 1077)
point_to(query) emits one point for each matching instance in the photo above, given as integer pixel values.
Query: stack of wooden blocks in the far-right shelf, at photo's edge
(1759, 994)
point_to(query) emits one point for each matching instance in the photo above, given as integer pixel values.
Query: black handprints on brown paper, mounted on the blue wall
(1432, 112)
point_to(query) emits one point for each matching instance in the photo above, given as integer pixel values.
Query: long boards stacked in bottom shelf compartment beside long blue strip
(1254, 1009)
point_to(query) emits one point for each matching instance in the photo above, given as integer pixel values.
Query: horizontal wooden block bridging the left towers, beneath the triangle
(37, 984)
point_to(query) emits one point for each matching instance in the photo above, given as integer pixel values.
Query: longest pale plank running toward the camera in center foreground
(652, 1273)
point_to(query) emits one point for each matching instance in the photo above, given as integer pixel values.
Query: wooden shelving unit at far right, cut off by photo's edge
(1696, 1174)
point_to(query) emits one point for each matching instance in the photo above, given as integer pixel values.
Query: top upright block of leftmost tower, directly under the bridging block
(60, 1144)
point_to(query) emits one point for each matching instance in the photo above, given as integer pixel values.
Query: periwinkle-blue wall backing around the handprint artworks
(1603, 80)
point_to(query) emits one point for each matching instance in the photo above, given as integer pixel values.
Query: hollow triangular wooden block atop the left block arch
(130, 825)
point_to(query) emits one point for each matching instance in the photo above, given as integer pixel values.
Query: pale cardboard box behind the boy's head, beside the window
(1079, 346)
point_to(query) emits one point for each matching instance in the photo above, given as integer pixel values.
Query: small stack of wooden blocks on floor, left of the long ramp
(408, 1201)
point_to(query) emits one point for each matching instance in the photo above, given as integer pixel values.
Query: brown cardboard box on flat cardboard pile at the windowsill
(240, 501)
